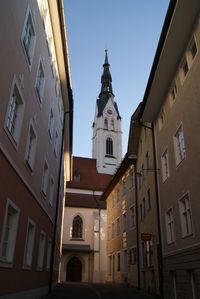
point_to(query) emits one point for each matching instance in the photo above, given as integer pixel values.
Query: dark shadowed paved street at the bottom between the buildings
(96, 291)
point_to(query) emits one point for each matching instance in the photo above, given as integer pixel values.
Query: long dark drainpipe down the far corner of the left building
(53, 250)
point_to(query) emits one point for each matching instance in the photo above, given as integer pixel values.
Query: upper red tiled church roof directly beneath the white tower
(89, 177)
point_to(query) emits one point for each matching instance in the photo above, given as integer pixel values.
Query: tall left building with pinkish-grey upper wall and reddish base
(35, 93)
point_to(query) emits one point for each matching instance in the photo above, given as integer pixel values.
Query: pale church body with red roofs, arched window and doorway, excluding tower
(84, 226)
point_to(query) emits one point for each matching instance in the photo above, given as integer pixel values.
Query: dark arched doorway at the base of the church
(74, 270)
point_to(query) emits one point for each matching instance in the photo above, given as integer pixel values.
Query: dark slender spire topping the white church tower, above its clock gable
(106, 79)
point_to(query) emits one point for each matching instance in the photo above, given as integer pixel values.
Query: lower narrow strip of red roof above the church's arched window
(84, 201)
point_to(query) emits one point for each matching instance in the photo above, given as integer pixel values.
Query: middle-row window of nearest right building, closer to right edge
(179, 145)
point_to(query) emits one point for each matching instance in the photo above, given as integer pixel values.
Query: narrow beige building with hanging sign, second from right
(149, 251)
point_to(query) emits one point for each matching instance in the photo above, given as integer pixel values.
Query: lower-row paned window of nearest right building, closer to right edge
(185, 215)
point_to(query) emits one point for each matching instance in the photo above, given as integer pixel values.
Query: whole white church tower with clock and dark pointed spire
(107, 134)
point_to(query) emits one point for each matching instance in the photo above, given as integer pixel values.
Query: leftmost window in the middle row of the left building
(14, 113)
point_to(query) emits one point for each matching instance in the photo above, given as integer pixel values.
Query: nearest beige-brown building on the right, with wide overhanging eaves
(171, 103)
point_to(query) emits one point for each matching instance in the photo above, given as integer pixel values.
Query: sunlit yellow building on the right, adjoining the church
(121, 225)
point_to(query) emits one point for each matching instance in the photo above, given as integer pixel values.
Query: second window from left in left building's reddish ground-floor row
(30, 236)
